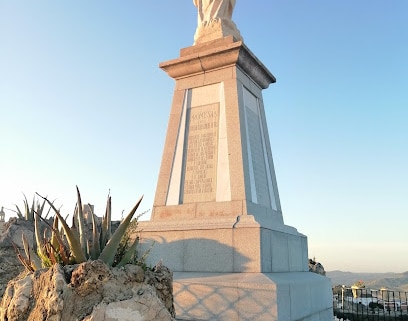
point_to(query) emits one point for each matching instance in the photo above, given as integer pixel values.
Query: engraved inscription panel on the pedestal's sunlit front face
(200, 176)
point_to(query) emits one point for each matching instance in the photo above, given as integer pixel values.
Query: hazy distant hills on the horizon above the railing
(391, 281)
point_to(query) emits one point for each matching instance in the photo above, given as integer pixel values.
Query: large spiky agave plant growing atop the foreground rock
(72, 245)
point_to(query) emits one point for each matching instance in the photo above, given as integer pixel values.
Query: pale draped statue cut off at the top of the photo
(214, 20)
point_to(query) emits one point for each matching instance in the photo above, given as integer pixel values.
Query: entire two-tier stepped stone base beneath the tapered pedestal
(244, 273)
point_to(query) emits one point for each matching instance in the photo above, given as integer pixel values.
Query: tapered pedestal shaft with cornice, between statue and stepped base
(217, 161)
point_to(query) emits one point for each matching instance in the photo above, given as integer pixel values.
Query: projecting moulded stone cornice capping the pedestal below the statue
(215, 55)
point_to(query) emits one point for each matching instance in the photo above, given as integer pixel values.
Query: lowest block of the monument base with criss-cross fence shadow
(290, 296)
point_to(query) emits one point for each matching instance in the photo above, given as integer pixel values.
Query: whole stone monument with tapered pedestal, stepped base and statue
(217, 221)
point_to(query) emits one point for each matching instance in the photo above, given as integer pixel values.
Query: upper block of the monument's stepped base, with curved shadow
(223, 245)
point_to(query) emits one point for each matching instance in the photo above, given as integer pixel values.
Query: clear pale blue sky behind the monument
(83, 102)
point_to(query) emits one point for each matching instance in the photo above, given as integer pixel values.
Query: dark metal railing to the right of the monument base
(372, 305)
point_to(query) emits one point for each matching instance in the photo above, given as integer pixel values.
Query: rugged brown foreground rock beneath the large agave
(90, 291)
